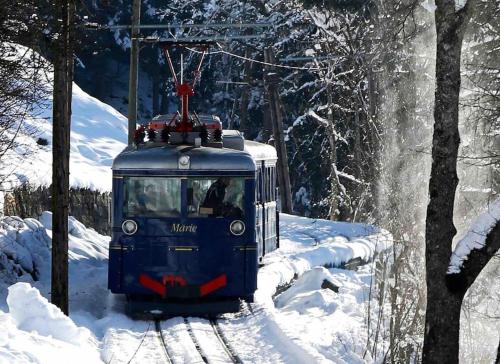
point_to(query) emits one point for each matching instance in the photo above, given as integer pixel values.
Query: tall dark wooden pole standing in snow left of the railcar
(63, 80)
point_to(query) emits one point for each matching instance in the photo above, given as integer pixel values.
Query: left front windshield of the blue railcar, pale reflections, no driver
(152, 196)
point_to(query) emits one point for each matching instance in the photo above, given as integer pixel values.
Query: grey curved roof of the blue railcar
(236, 155)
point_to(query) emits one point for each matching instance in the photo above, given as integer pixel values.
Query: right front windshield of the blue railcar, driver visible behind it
(216, 197)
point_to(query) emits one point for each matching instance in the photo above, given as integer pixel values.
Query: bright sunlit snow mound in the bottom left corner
(36, 331)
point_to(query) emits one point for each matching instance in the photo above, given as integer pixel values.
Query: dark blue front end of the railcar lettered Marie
(183, 229)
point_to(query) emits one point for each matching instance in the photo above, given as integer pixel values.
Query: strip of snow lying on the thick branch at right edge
(475, 239)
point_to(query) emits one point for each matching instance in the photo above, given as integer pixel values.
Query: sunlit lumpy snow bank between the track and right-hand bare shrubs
(330, 325)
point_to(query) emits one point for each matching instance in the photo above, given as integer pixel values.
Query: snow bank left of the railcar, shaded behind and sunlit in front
(33, 330)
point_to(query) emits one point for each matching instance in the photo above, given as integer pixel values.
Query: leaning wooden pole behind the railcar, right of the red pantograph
(272, 81)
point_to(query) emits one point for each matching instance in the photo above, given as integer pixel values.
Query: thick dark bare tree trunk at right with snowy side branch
(442, 321)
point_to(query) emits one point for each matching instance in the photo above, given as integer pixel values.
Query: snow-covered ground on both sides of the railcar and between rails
(306, 323)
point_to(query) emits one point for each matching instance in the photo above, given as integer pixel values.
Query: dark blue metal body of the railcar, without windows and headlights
(196, 256)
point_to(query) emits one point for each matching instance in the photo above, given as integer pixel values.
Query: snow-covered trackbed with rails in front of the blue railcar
(255, 334)
